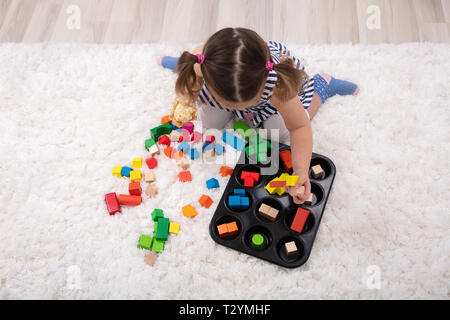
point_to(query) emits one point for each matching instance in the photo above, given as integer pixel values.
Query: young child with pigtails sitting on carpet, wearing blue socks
(237, 73)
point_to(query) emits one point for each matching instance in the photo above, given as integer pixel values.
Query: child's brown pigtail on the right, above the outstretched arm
(290, 80)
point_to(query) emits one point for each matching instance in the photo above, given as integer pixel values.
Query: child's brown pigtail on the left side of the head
(186, 81)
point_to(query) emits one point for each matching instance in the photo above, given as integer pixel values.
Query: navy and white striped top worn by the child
(263, 109)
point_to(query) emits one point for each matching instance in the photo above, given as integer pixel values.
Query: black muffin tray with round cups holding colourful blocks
(276, 233)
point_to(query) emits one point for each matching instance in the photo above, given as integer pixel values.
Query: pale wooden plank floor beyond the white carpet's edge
(299, 21)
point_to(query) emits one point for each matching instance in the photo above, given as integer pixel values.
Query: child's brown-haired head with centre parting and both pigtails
(235, 69)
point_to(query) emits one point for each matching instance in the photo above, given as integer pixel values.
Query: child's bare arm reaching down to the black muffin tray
(301, 143)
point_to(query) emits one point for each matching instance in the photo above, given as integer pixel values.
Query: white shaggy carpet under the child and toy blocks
(71, 112)
